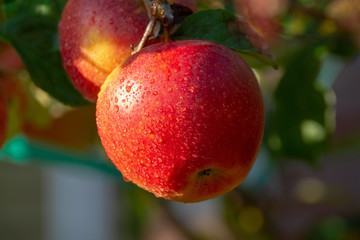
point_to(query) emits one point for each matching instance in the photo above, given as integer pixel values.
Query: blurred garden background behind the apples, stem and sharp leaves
(56, 182)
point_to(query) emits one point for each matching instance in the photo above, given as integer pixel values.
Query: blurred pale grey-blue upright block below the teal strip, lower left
(79, 204)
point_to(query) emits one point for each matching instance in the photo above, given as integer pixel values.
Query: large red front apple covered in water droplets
(183, 120)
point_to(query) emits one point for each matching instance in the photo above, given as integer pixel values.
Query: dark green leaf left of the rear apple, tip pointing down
(35, 39)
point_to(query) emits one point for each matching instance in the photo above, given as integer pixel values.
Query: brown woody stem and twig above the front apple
(160, 14)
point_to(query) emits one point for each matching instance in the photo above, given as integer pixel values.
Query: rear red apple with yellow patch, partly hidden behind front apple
(95, 37)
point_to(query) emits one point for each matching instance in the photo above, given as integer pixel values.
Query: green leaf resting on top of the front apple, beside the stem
(219, 26)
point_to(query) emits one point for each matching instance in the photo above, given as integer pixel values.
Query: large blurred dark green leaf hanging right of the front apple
(302, 121)
